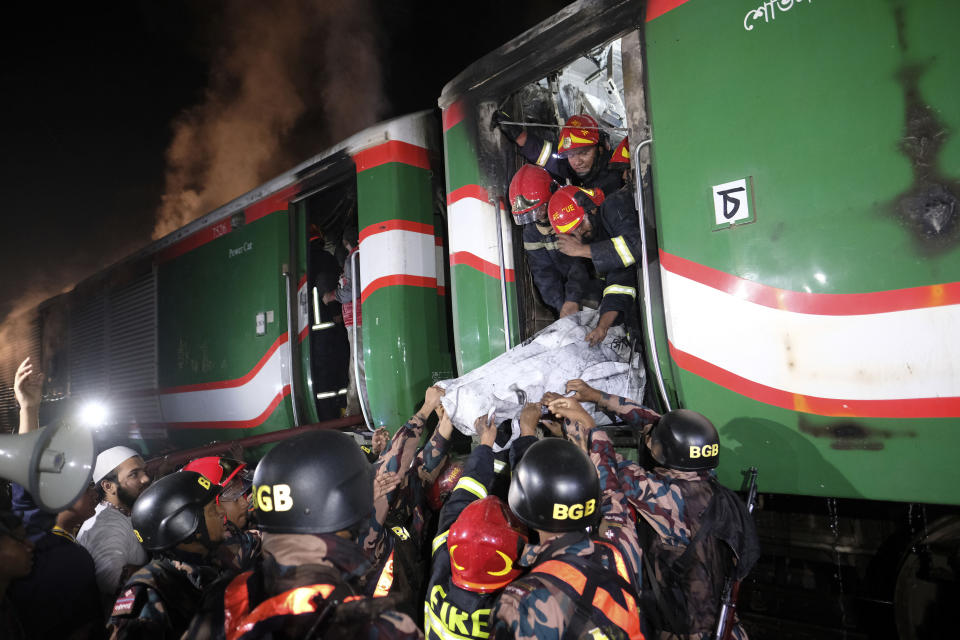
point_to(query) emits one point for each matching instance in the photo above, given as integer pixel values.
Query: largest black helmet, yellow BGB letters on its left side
(318, 482)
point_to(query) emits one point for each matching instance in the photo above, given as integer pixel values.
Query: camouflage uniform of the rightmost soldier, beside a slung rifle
(672, 504)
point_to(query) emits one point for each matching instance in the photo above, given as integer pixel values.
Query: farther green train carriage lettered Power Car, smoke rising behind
(210, 333)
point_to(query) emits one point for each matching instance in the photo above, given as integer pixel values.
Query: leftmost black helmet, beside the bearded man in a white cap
(170, 510)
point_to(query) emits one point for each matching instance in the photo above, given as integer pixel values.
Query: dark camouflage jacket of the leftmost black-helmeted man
(160, 599)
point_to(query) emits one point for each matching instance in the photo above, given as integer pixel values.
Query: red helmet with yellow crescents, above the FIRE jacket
(484, 542)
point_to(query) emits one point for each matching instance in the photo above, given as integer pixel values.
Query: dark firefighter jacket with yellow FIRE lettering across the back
(449, 611)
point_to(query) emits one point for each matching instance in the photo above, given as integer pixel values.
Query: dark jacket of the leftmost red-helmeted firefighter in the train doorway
(559, 278)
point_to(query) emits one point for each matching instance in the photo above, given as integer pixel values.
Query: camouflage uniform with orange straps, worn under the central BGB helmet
(538, 607)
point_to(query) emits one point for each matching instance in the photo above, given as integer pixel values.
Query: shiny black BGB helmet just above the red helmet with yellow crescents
(555, 487)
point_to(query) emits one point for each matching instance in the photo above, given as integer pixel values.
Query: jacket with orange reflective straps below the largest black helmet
(303, 586)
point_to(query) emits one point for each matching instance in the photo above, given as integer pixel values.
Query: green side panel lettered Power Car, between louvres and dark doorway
(208, 302)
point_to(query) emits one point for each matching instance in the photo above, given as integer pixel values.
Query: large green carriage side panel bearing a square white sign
(842, 119)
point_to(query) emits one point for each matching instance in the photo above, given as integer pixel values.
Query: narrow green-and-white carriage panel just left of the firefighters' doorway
(477, 294)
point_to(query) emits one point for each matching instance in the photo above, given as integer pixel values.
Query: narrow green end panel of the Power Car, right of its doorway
(405, 343)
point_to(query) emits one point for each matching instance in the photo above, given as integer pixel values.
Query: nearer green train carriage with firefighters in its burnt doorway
(799, 284)
